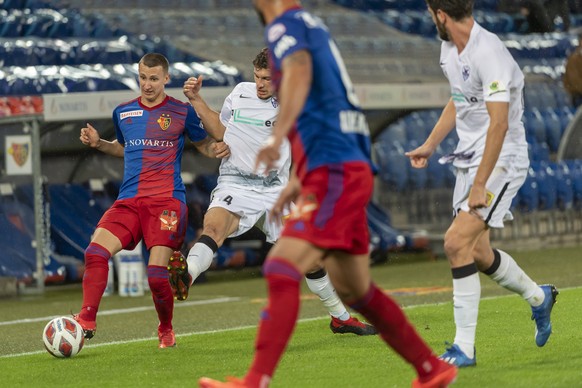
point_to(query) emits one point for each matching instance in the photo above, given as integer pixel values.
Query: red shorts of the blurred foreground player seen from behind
(330, 212)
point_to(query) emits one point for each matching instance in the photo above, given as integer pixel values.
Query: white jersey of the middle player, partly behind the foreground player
(249, 122)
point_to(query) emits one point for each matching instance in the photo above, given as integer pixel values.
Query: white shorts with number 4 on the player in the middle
(253, 207)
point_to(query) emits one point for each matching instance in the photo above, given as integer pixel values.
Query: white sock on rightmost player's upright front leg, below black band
(466, 295)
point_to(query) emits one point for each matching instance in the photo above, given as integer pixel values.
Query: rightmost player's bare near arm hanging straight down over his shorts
(498, 126)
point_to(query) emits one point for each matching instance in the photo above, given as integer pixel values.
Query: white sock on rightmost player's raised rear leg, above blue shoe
(510, 276)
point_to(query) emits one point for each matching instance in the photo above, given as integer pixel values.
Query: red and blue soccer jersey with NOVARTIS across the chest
(154, 140)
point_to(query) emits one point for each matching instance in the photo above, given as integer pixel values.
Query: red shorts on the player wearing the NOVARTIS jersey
(159, 221)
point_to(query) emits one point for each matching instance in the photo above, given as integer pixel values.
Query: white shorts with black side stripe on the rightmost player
(502, 186)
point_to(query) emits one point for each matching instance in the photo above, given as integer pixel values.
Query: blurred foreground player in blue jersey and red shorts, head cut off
(331, 185)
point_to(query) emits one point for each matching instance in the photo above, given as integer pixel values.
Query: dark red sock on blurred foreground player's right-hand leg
(395, 329)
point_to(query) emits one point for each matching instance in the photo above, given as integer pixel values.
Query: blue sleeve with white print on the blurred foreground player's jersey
(287, 37)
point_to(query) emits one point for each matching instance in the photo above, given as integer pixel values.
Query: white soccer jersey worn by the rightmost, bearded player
(484, 72)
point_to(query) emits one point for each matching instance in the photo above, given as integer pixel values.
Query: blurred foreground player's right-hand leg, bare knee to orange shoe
(350, 275)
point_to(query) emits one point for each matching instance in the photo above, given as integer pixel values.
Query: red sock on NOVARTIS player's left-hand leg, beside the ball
(94, 280)
